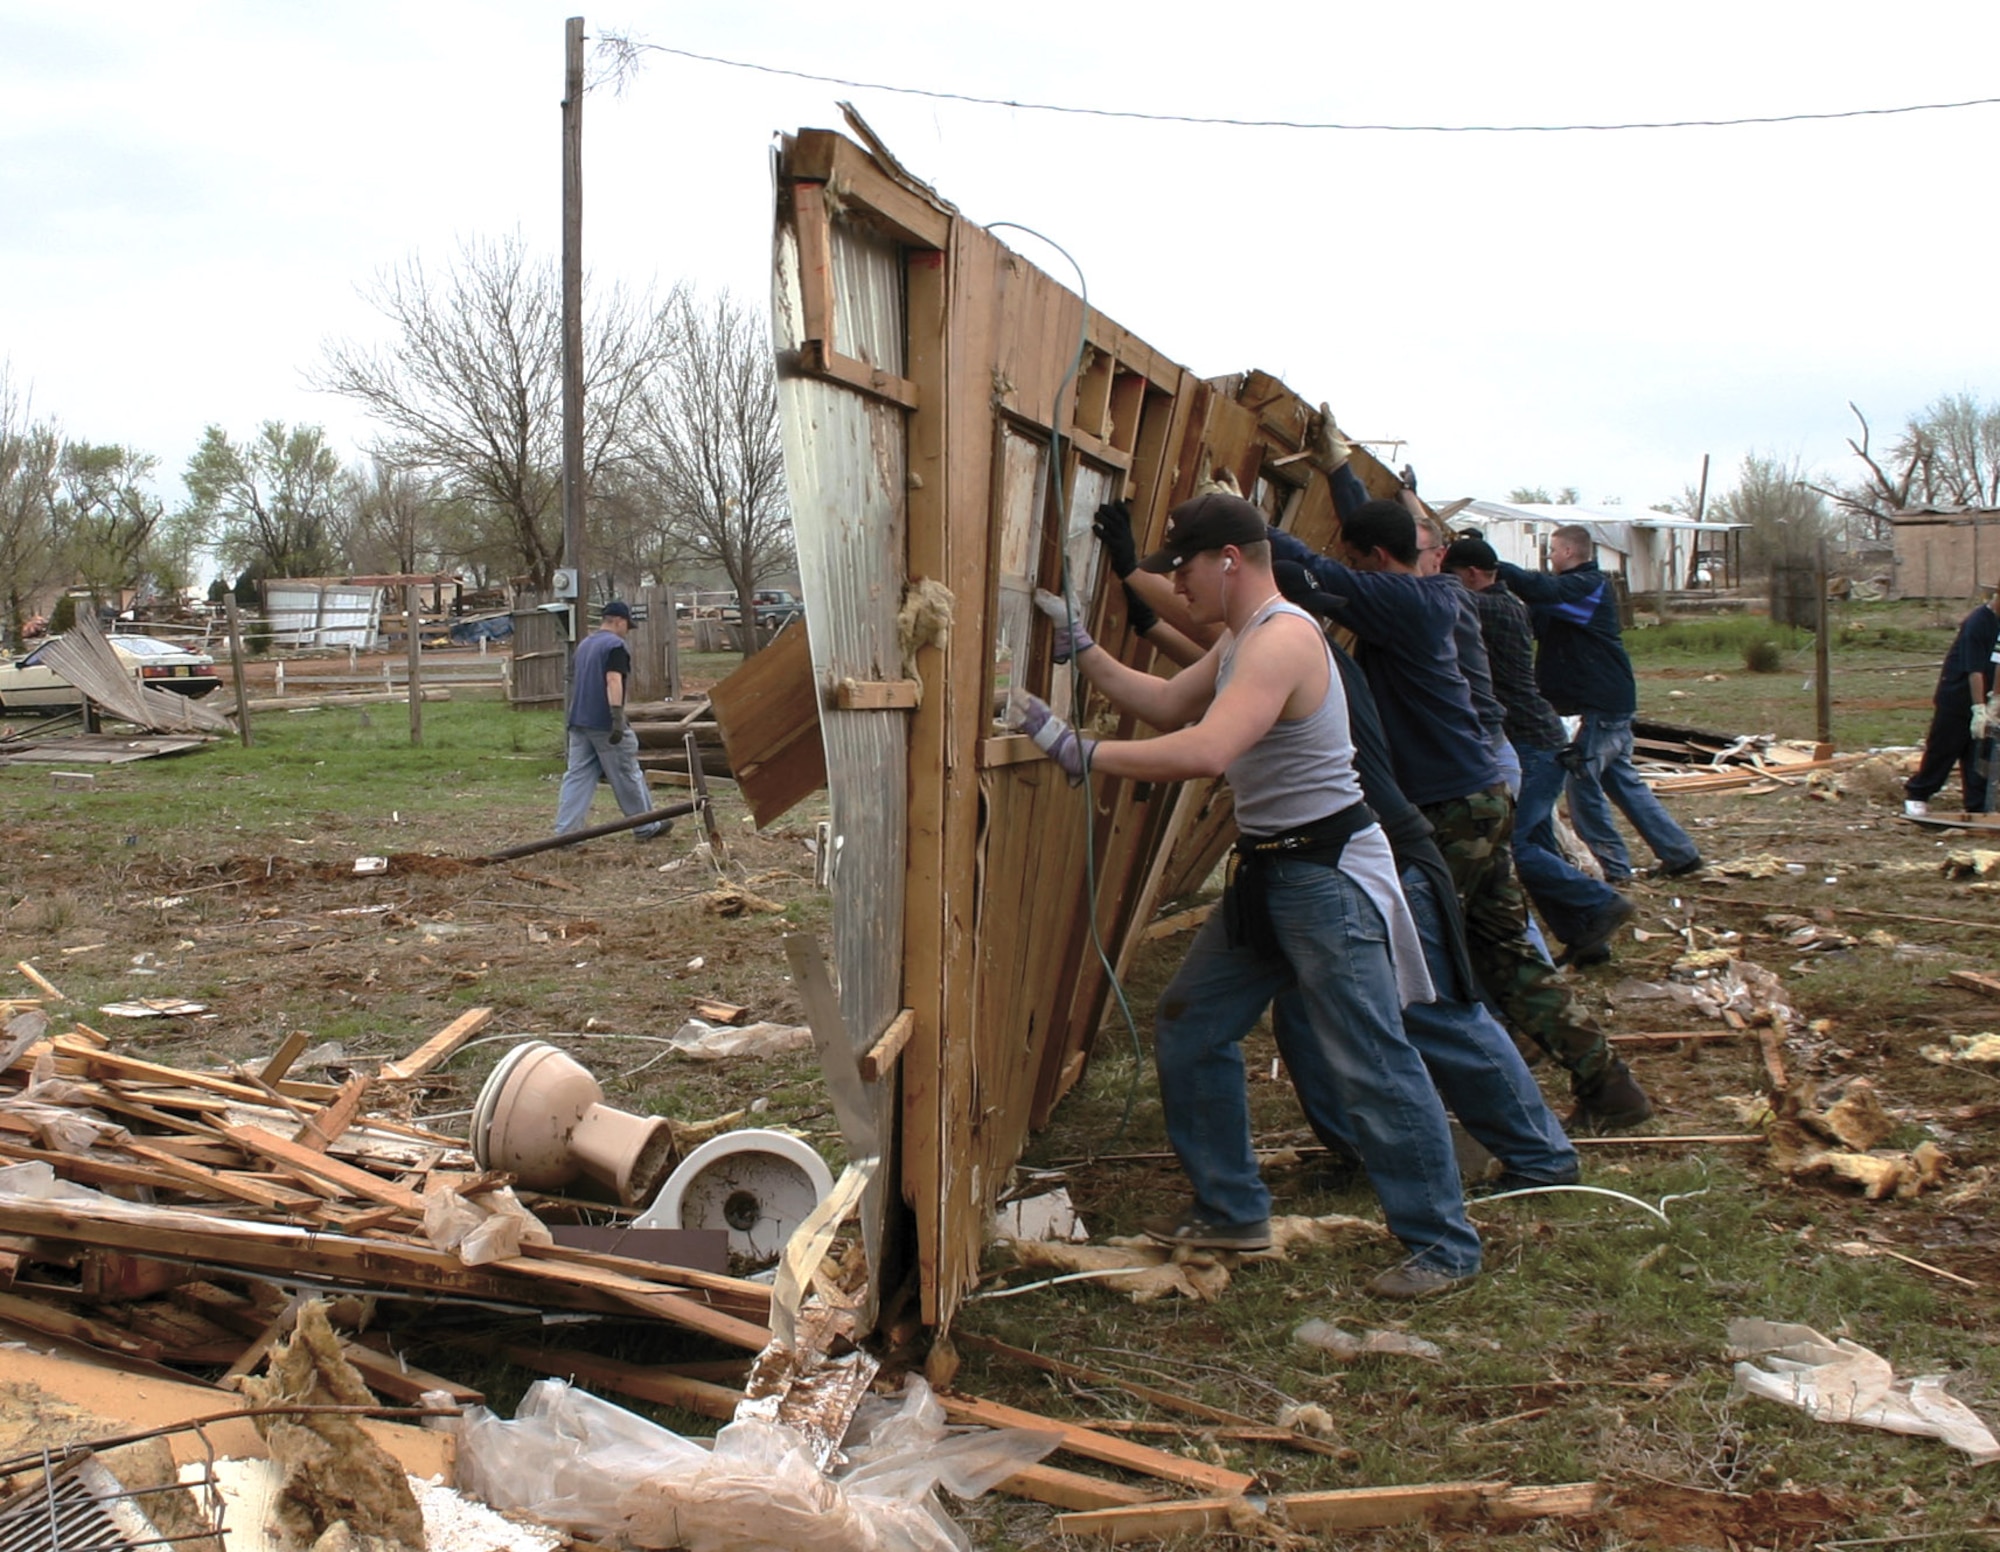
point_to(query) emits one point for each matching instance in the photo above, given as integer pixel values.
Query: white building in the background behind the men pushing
(1653, 551)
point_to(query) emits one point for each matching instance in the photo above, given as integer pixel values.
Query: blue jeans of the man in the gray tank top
(1351, 1063)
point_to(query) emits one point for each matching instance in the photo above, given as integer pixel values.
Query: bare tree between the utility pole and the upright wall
(711, 449)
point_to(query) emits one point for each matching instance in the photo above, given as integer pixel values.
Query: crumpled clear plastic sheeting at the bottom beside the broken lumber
(607, 1475)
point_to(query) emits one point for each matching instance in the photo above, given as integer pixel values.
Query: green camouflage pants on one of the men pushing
(1475, 833)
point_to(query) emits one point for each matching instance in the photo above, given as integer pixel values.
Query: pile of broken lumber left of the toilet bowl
(159, 1215)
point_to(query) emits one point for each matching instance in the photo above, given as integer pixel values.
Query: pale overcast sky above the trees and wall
(195, 193)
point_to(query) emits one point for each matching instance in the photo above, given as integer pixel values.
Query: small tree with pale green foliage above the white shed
(273, 499)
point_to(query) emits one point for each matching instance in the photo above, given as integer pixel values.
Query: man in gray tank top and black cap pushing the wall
(1313, 909)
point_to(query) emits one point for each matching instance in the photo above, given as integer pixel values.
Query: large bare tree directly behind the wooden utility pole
(471, 387)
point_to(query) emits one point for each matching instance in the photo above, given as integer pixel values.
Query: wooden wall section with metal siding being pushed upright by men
(929, 377)
